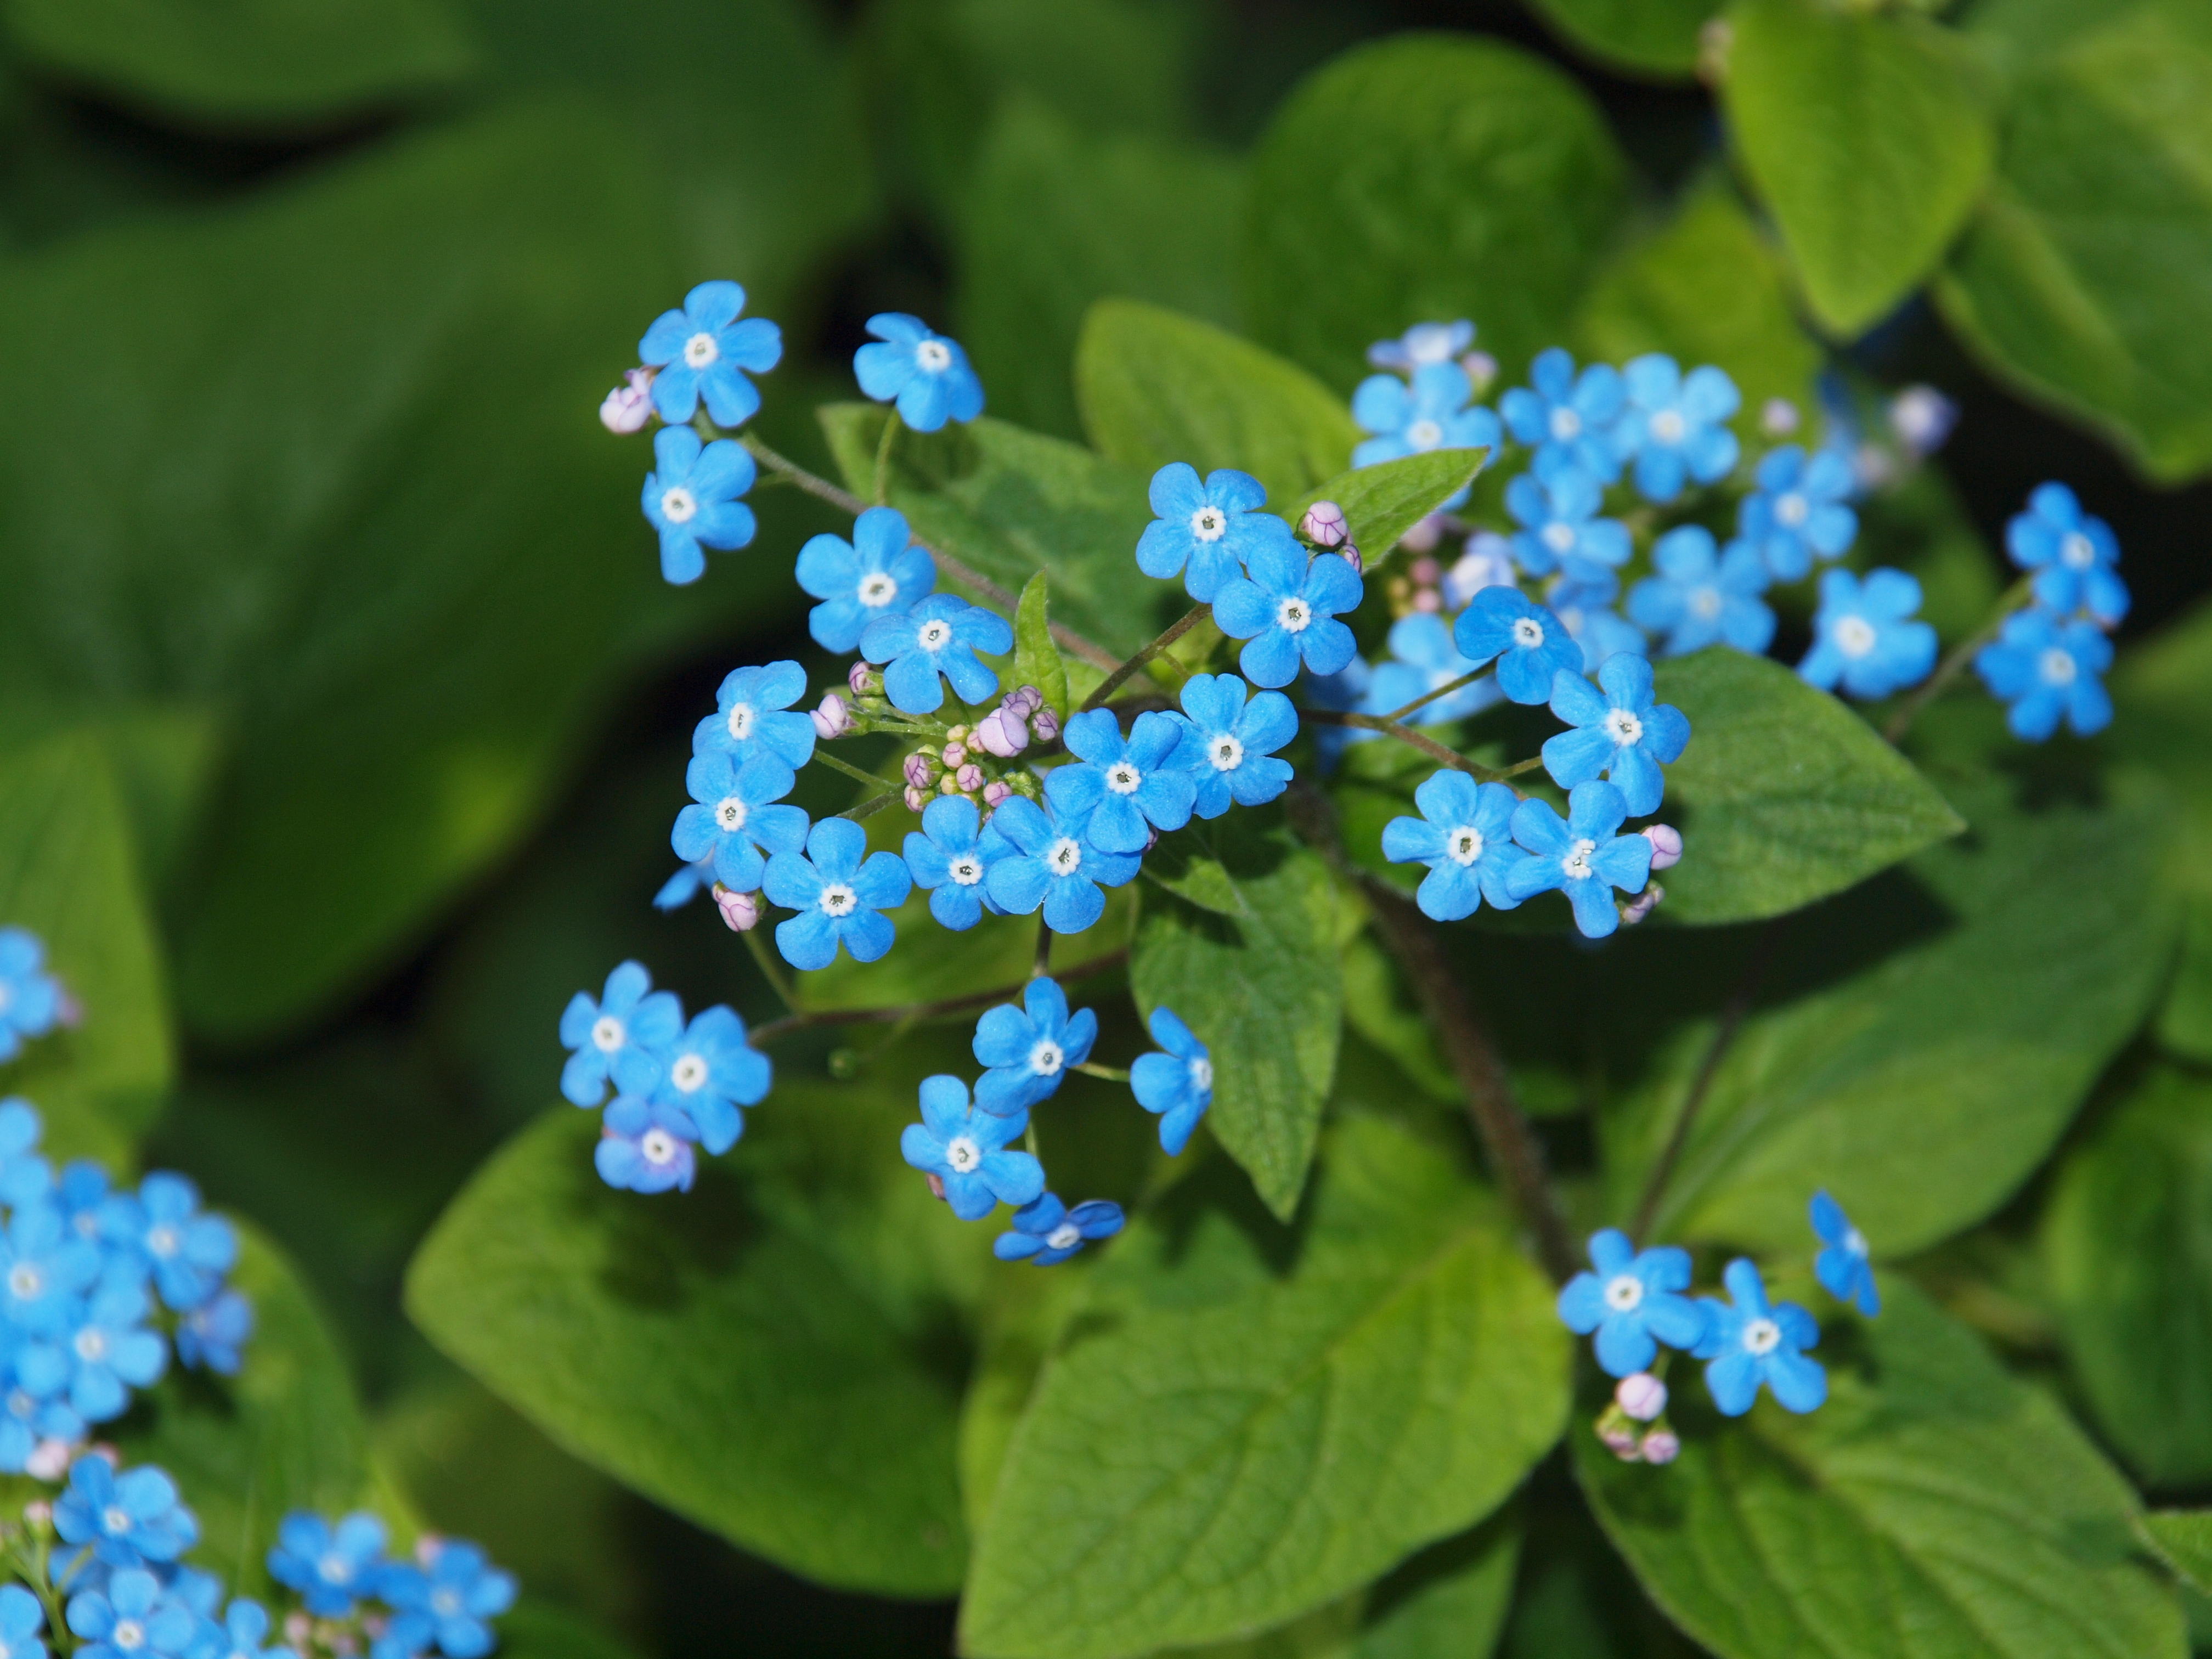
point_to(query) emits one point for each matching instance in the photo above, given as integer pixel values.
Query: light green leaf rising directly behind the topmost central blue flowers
(1156, 388)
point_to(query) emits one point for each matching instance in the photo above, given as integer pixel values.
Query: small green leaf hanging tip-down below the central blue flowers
(1260, 985)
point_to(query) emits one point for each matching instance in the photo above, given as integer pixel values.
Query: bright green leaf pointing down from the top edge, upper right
(1868, 138)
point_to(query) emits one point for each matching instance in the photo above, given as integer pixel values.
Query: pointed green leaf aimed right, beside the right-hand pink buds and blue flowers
(1784, 795)
